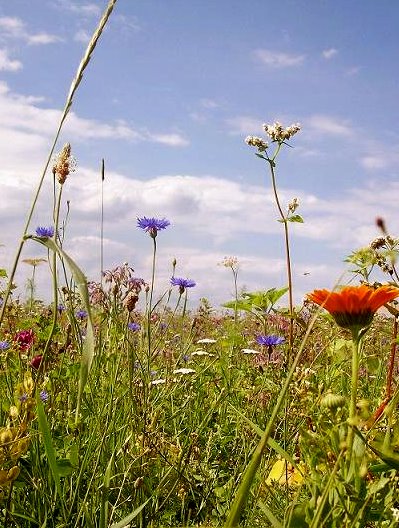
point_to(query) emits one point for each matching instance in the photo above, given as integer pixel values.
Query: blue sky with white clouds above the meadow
(171, 92)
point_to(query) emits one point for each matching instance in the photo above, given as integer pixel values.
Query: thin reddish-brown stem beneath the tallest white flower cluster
(287, 249)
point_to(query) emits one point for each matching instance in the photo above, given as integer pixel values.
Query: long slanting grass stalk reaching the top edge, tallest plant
(68, 104)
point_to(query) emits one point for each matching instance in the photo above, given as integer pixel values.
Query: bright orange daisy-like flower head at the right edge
(354, 307)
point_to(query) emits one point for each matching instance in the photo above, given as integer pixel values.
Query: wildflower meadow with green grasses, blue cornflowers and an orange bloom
(125, 407)
